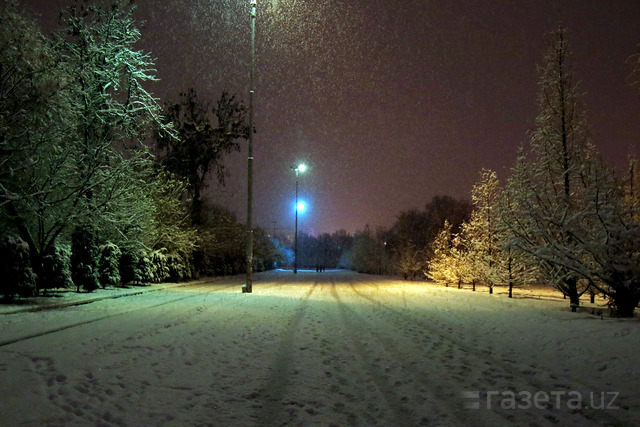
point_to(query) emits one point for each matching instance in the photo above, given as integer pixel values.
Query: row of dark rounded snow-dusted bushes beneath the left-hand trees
(85, 266)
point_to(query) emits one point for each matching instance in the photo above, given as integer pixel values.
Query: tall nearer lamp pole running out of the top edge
(248, 287)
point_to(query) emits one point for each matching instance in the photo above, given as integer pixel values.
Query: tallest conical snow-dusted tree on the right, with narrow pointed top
(546, 186)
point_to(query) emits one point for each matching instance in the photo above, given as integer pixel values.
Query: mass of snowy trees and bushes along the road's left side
(99, 184)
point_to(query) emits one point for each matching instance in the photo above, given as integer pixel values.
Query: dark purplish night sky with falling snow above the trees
(389, 103)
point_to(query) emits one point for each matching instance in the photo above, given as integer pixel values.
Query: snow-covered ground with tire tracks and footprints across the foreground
(332, 348)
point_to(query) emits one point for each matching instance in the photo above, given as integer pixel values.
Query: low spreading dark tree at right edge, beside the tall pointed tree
(603, 250)
